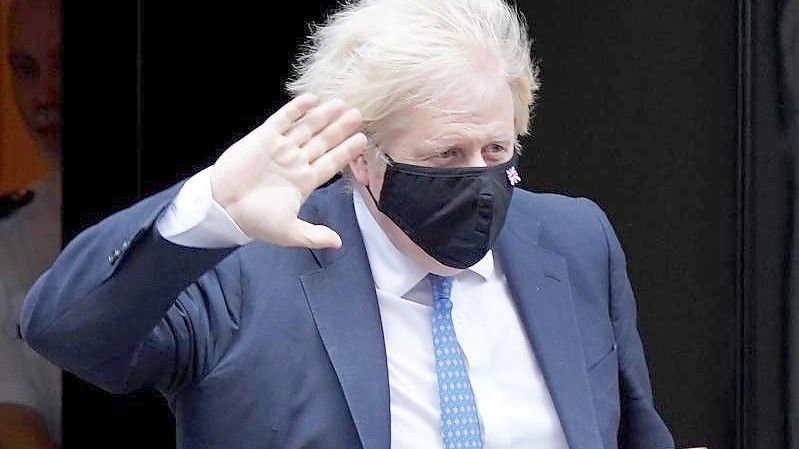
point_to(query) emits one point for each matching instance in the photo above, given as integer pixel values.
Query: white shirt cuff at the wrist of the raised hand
(195, 219)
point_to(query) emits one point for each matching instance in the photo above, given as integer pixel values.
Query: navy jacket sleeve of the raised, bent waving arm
(124, 308)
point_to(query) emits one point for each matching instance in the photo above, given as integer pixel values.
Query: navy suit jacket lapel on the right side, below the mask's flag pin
(539, 283)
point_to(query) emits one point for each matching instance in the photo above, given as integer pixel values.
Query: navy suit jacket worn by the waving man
(269, 347)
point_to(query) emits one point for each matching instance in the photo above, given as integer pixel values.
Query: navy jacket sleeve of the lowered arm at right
(641, 426)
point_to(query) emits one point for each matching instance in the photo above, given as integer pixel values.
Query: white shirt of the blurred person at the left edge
(30, 240)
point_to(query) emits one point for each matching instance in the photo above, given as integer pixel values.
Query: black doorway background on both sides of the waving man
(660, 111)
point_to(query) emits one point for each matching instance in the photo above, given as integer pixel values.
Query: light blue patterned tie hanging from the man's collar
(460, 426)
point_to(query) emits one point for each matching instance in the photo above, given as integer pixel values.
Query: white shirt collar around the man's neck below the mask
(394, 272)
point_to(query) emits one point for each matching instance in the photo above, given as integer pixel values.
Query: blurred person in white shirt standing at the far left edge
(30, 211)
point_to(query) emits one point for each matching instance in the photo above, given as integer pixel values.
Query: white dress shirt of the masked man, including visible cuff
(514, 404)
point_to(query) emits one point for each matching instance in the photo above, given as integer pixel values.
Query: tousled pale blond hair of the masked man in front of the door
(382, 56)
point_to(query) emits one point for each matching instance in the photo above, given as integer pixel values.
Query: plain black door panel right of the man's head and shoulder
(638, 113)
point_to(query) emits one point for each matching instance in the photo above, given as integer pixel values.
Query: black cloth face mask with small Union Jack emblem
(453, 214)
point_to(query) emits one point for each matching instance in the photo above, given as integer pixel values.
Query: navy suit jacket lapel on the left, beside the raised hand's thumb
(342, 299)
